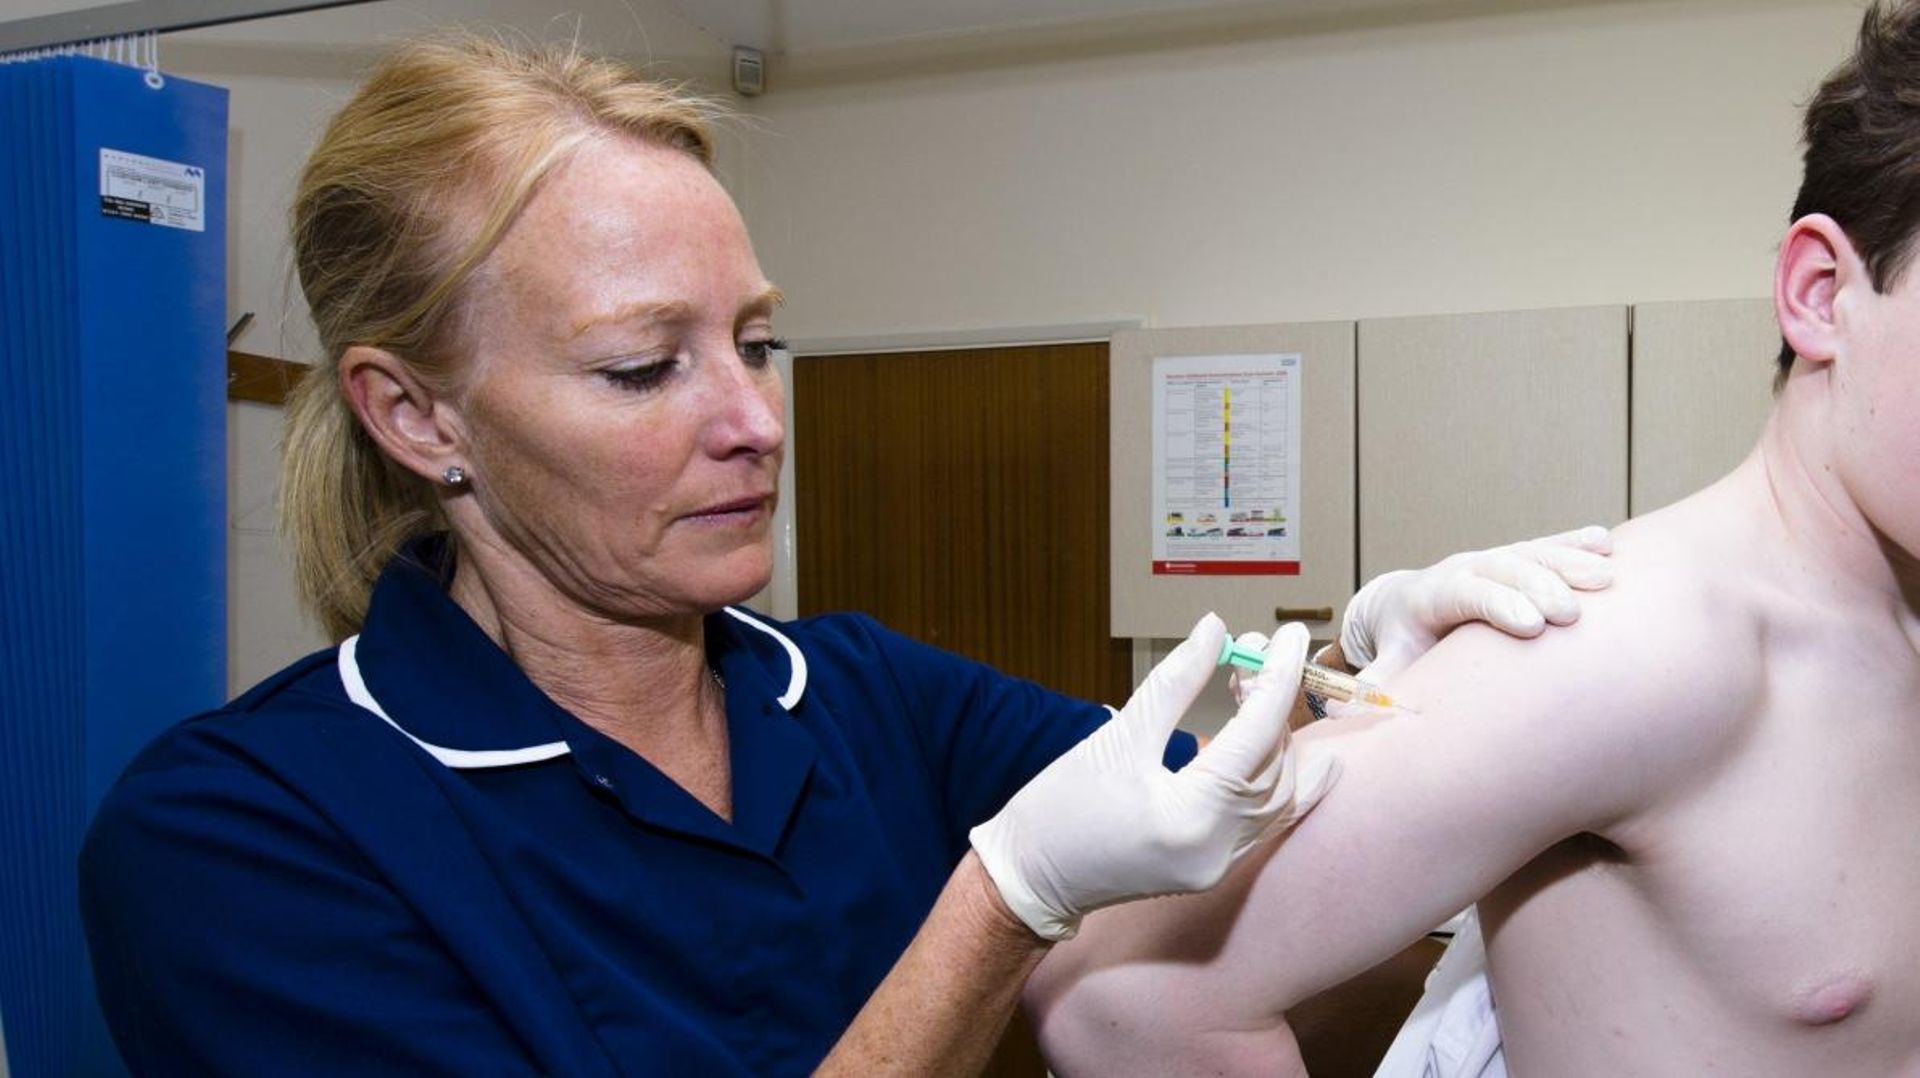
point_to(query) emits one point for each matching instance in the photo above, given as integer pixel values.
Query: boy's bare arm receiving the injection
(1516, 747)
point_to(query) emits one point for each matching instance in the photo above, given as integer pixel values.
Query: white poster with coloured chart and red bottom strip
(1228, 466)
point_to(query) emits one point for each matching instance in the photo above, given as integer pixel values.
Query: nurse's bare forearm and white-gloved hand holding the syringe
(1103, 825)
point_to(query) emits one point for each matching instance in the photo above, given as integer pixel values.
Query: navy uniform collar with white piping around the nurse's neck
(431, 674)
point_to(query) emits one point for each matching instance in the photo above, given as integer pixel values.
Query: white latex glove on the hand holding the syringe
(1107, 823)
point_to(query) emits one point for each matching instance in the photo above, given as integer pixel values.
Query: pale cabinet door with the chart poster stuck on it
(1166, 606)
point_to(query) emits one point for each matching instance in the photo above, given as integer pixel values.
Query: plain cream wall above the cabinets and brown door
(1481, 157)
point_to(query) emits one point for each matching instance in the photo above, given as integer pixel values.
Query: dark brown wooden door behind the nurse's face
(963, 499)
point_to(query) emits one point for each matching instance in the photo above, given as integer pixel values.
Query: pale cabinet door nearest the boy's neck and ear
(1702, 393)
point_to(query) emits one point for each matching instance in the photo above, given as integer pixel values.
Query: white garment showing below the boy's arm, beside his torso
(1452, 1031)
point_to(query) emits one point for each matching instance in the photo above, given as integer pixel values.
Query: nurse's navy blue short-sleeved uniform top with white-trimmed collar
(400, 856)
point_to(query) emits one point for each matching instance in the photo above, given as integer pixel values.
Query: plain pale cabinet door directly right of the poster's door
(1485, 429)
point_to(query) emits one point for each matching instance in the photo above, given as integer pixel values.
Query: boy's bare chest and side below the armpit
(1771, 902)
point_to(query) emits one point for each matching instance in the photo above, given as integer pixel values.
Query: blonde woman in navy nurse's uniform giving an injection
(556, 804)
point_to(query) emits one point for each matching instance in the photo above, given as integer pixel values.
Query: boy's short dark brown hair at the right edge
(1863, 147)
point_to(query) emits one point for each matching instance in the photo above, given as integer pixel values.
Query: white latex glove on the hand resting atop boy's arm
(1518, 589)
